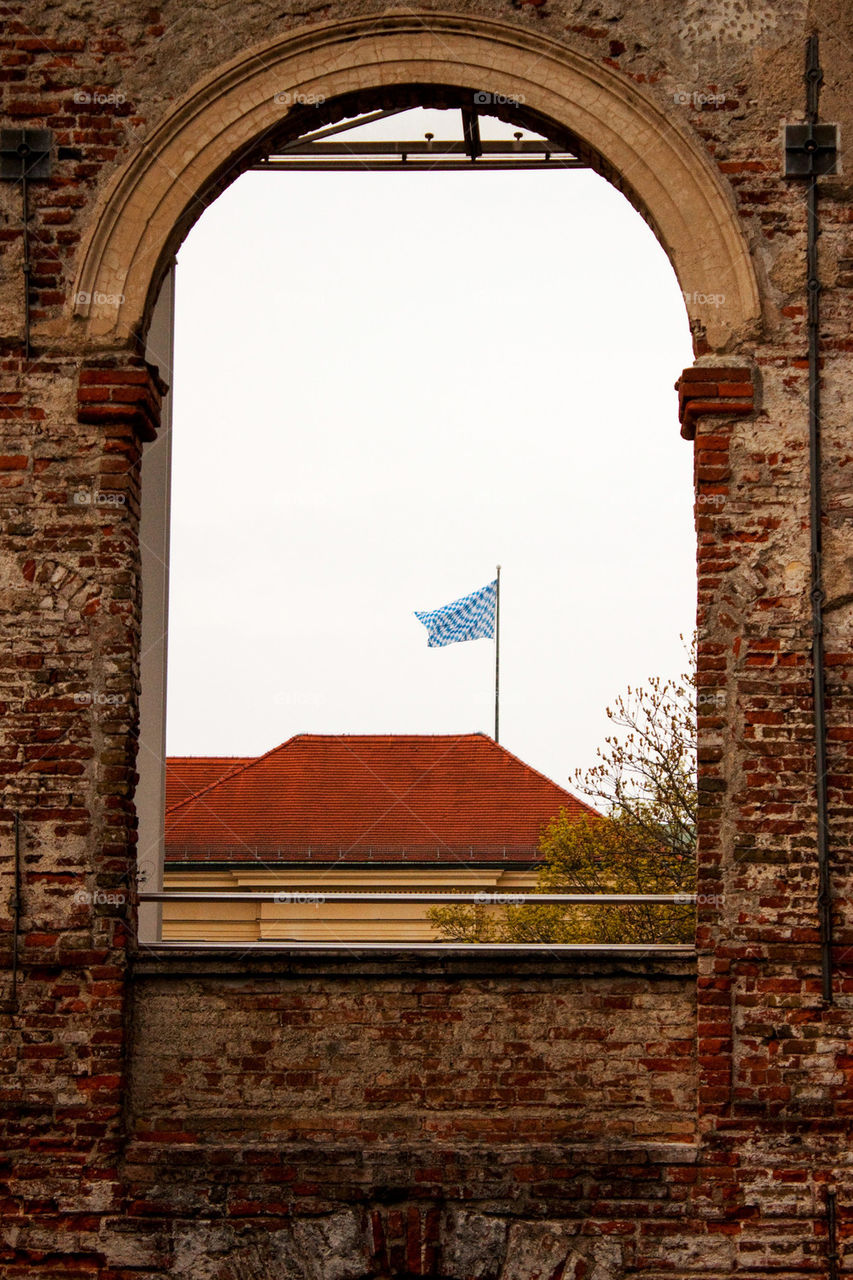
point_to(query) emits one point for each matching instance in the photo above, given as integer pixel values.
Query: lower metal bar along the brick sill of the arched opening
(674, 949)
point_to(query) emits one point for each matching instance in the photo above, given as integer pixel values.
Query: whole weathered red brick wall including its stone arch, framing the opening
(494, 1127)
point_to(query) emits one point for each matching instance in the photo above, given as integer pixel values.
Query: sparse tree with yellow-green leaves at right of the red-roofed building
(645, 789)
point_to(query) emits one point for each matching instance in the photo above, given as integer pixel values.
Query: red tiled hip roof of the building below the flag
(366, 798)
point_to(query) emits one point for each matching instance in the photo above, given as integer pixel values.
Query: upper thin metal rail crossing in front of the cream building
(482, 898)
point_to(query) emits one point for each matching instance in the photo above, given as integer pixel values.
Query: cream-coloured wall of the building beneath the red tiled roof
(322, 921)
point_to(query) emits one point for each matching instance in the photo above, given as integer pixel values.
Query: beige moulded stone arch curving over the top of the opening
(211, 135)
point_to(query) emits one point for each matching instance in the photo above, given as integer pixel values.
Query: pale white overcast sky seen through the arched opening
(386, 386)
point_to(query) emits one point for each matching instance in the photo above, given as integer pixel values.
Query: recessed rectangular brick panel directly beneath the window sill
(373, 1058)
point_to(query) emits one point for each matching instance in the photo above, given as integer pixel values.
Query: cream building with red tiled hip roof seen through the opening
(330, 815)
